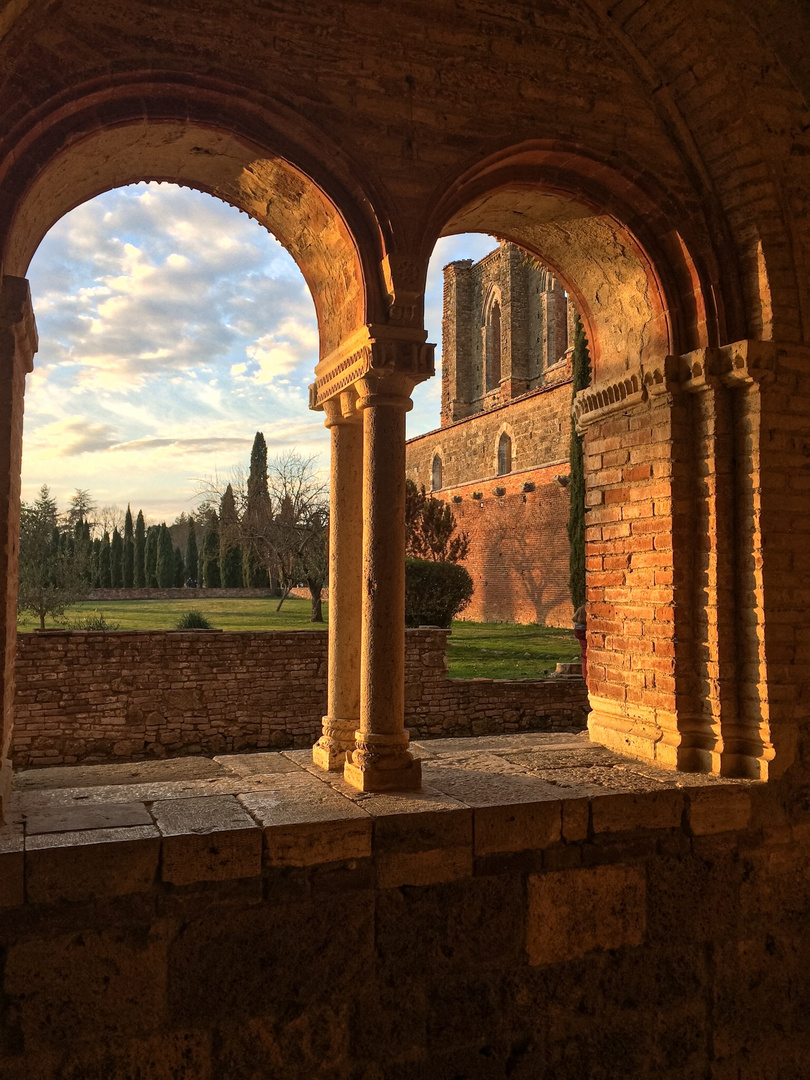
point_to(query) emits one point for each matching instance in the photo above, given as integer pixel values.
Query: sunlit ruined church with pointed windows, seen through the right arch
(508, 436)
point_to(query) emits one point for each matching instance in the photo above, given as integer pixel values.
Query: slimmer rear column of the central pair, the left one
(346, 562)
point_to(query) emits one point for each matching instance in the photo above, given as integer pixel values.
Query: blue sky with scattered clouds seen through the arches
(172, 329)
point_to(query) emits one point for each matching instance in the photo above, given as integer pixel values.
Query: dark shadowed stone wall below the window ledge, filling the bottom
(661, 936)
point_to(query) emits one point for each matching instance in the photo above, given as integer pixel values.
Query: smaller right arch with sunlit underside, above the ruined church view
(640, 267)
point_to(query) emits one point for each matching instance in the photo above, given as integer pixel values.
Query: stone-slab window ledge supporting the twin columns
(93, 833)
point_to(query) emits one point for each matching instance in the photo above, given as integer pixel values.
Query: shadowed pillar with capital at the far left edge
(18, 346)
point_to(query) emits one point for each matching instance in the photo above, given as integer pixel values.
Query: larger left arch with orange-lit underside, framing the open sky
(139, 131)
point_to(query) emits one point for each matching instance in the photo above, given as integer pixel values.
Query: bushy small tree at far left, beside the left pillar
(52, 575)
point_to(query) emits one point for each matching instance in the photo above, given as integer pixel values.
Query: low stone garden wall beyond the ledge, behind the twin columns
(131, 695)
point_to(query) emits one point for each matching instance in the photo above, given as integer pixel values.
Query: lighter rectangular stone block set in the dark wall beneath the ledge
(574, 913)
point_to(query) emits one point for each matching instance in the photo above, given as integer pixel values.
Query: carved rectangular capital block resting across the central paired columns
(380, 352)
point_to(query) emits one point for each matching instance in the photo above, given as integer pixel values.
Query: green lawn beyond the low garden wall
(477, 650)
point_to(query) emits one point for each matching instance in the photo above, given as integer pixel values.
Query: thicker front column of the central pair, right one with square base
(382, 761)
